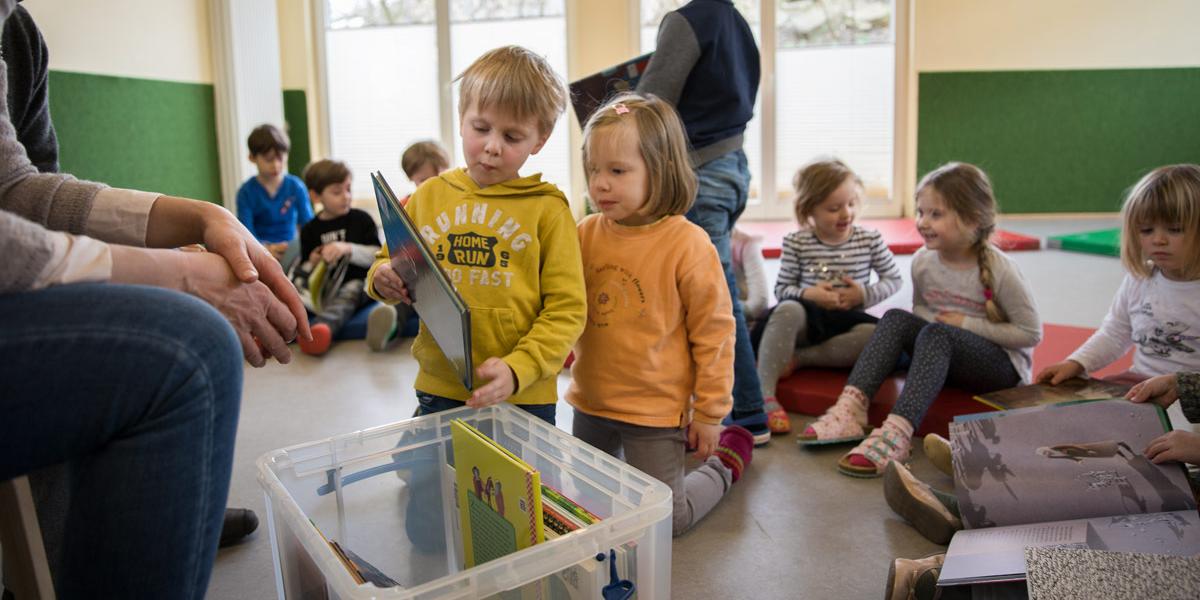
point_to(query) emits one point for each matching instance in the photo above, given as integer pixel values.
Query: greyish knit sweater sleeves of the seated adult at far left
(29, 200)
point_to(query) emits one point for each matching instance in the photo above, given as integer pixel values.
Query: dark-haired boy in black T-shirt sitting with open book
(339, 231)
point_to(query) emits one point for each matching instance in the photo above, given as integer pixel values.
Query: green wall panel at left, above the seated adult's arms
(137, 134)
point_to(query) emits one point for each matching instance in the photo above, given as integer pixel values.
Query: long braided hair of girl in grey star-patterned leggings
(967, 191)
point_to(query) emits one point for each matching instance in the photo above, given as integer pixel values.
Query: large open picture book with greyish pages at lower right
(1070, 475)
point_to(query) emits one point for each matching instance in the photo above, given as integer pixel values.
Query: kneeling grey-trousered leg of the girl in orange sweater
(659, 452)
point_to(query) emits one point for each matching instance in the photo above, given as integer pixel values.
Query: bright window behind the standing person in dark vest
(832, 95)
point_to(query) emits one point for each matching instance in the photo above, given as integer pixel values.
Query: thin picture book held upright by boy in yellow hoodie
(435, 299)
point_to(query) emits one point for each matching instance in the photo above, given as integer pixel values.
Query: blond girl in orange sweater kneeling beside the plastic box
(653, 371)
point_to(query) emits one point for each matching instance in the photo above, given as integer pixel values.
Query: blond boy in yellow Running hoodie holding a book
(508, 244)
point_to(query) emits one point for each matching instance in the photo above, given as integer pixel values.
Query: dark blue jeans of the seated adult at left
(137, 389)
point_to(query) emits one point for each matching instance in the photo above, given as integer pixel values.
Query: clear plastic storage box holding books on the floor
(387, 495)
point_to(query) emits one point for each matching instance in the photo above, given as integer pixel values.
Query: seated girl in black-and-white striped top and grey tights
(825, 284)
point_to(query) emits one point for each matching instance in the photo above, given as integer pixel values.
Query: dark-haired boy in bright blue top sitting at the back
(273, 205)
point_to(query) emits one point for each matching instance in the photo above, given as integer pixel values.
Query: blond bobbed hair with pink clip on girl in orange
(664, 147)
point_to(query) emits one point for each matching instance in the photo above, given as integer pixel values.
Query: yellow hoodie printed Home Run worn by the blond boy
(513, 253)
